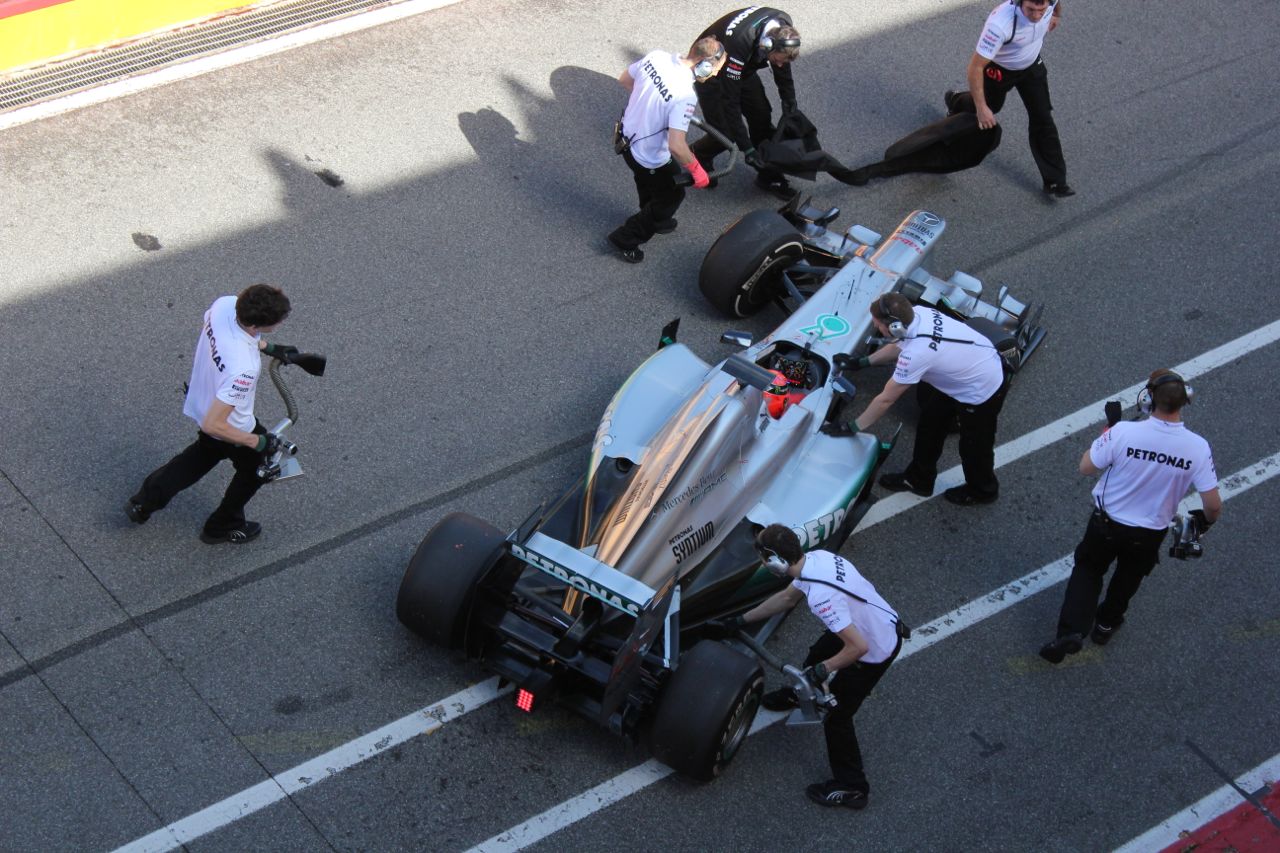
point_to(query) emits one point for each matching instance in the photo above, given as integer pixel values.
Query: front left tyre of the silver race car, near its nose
(743, 270)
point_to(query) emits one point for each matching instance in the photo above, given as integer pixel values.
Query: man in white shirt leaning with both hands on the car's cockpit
(959, 377)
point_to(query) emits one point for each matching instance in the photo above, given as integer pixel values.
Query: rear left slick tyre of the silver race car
(438, 589)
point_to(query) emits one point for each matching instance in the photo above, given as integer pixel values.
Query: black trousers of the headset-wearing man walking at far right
(1136, 551)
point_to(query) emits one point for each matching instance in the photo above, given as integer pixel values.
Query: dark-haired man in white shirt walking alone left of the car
(225, 375)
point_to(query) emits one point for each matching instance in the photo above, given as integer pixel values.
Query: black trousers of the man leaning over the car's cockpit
(977, 437)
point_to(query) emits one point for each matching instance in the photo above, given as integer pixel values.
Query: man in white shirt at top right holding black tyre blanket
(1009, 57)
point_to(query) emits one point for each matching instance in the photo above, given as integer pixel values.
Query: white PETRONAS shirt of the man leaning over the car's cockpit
(966, 372)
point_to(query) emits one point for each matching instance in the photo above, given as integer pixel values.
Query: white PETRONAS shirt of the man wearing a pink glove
(662, 99)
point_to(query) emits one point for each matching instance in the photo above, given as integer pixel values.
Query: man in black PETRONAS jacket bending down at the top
(753, 38)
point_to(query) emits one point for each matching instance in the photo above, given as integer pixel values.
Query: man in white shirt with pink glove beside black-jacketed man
(653, 133)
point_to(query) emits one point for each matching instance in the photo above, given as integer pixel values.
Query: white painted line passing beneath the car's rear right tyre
(637, 779)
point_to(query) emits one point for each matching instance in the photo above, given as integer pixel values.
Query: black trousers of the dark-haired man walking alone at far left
(188, 468)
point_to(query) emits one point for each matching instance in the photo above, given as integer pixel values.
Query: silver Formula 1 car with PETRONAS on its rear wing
(601, 599)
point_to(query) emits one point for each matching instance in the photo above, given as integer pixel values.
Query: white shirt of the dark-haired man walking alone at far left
(226, 367)
